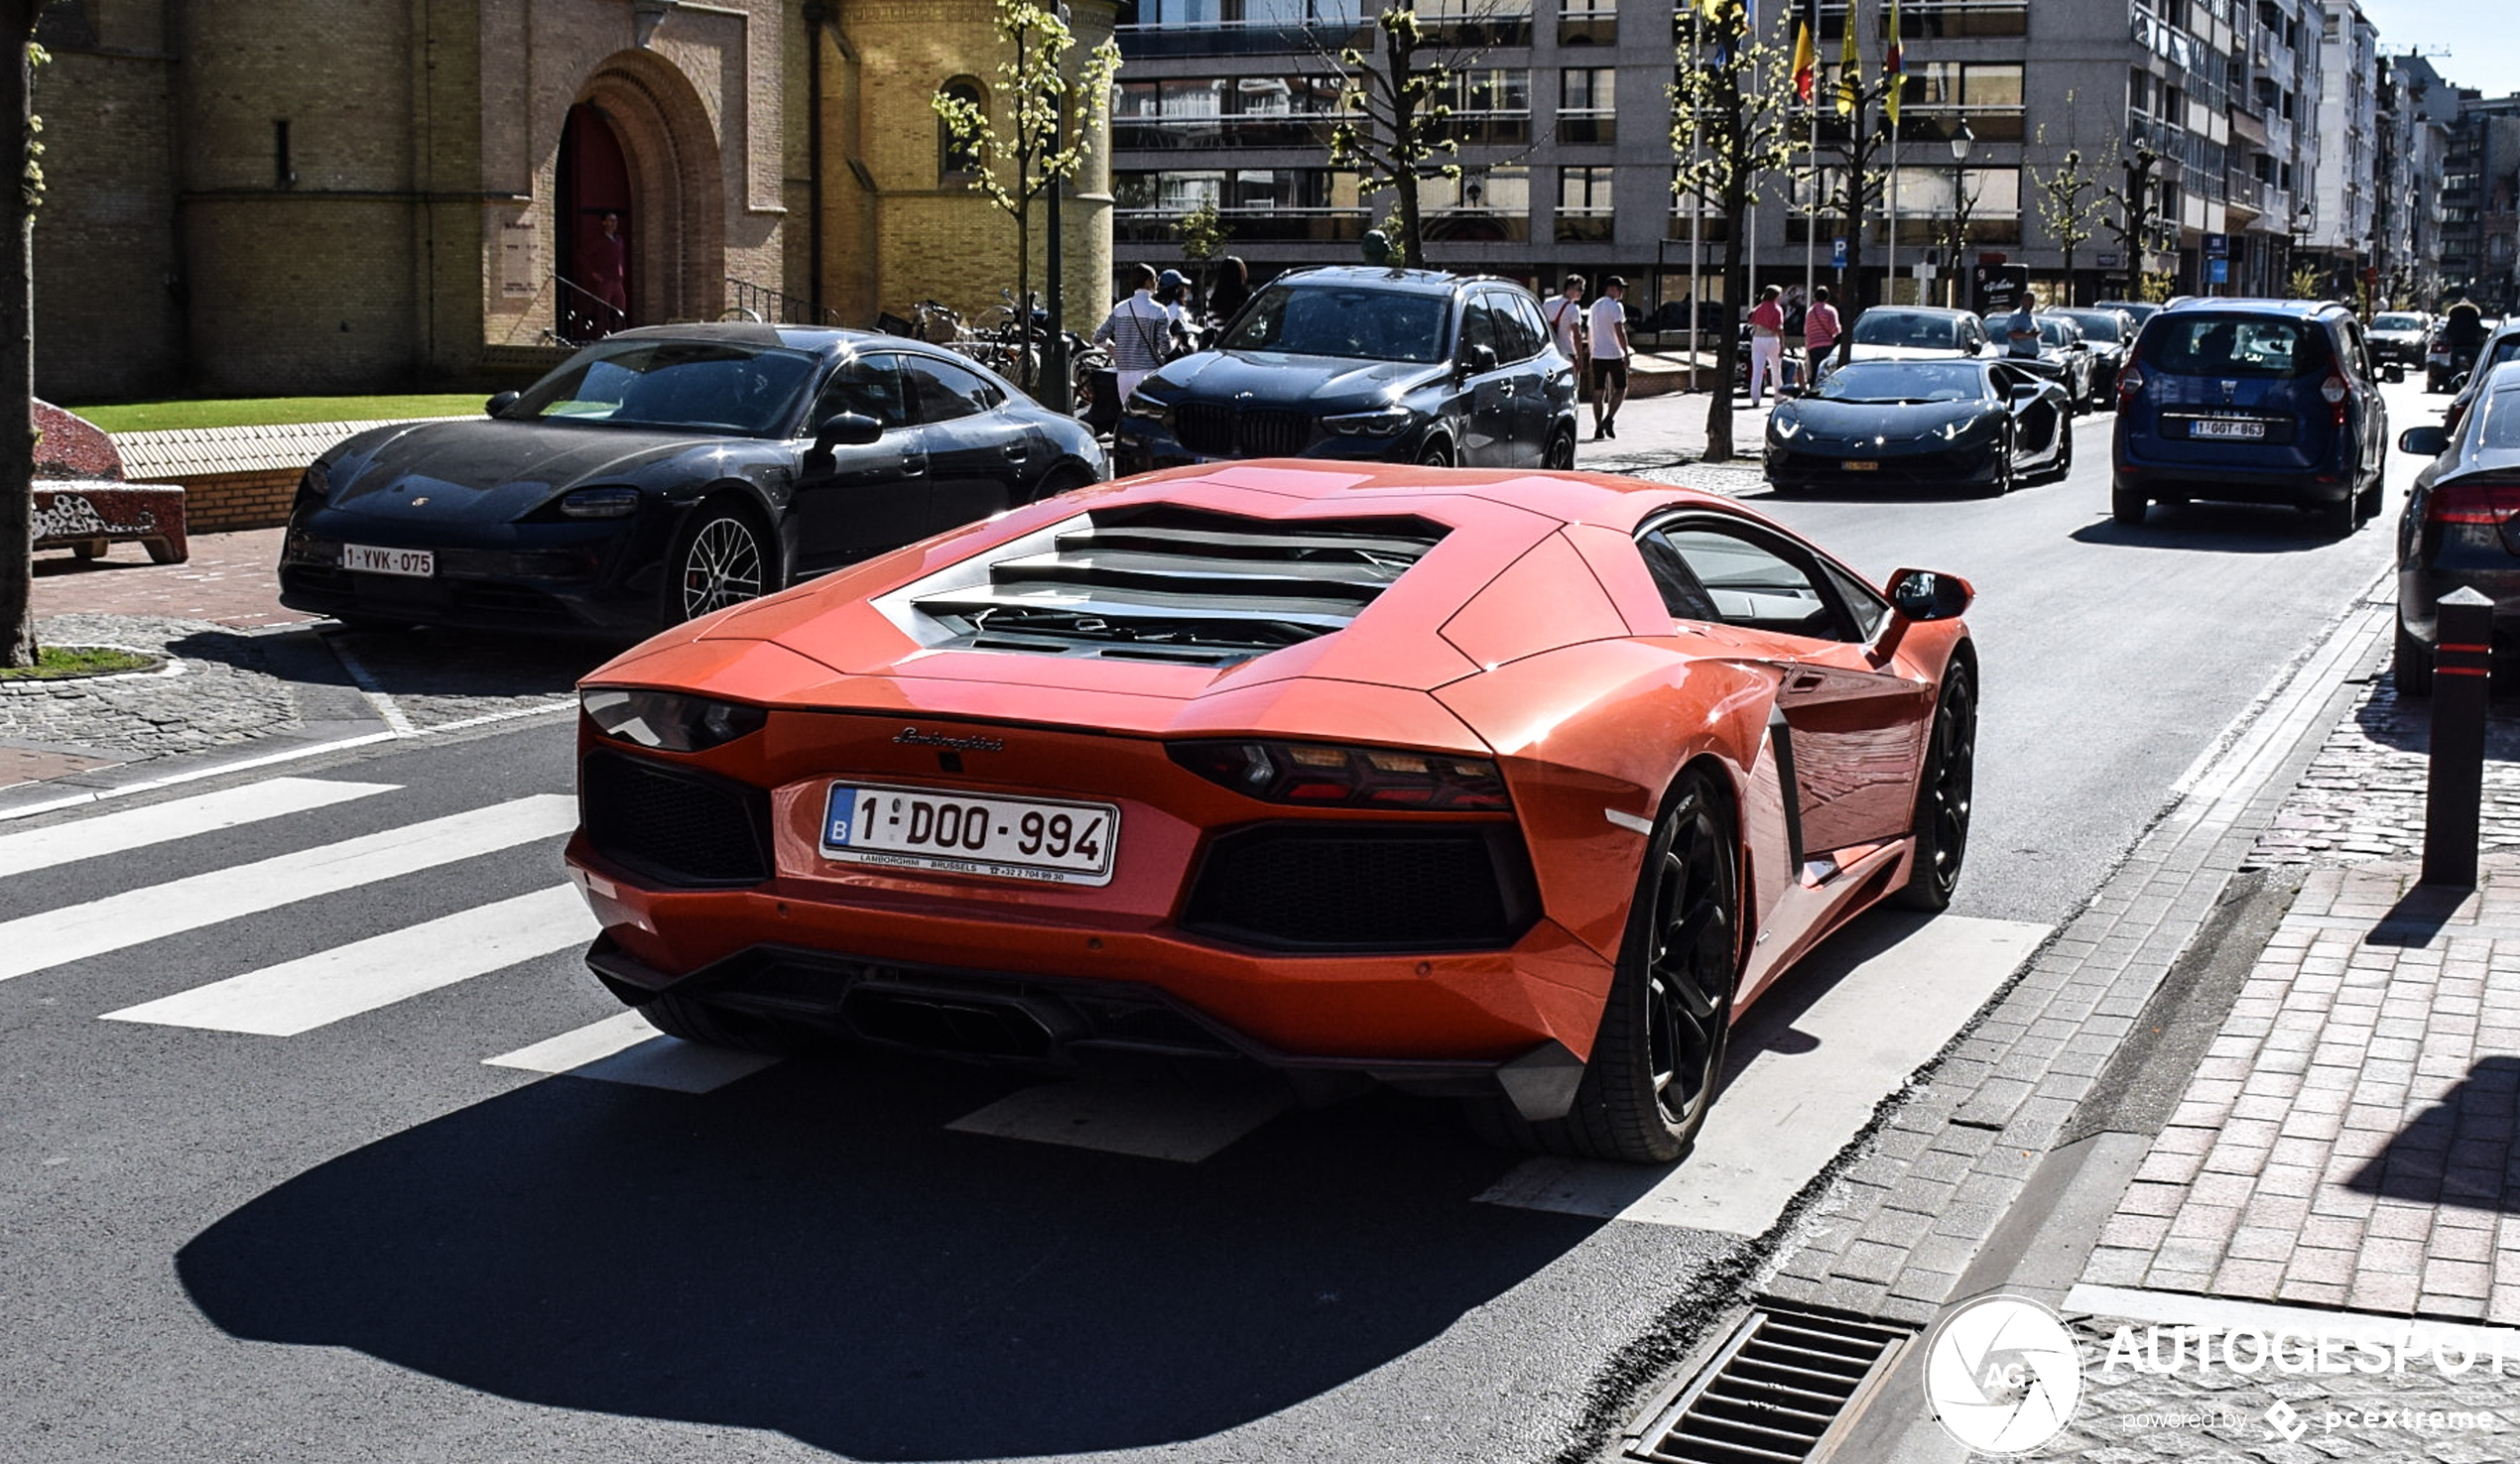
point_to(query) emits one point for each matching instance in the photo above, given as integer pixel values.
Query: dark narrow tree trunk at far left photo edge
(16, 349)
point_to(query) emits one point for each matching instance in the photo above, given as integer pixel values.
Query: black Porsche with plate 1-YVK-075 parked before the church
(669, 472)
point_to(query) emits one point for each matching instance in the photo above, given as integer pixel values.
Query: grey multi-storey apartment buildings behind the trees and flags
(1566, 140)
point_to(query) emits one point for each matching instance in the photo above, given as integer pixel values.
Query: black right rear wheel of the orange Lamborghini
(1659, 1049)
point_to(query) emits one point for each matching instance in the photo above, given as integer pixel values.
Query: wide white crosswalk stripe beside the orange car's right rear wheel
(1881, 1012)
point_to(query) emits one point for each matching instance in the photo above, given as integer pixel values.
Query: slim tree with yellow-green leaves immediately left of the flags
(1732, 125)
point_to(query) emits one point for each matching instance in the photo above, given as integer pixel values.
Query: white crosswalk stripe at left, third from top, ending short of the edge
(329, 986)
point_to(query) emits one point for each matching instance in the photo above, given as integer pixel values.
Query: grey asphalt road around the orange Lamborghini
(364, 1241)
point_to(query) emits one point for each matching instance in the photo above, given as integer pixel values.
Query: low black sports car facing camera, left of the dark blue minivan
(1929, 425)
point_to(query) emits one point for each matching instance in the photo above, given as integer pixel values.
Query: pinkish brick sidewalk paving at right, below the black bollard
(2350, 1138)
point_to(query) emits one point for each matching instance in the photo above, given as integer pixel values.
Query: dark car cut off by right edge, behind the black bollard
(2461, 528)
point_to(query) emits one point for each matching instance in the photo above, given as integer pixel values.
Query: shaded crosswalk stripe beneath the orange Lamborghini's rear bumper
(1145, 1120)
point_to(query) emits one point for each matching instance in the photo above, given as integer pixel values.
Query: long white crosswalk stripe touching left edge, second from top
(157, 911)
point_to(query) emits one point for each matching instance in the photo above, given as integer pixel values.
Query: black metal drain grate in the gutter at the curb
(1780, 1390)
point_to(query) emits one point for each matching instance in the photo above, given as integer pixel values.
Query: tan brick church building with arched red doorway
(369, 195)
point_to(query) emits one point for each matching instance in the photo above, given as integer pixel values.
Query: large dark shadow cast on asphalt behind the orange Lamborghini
(810, 1251)
